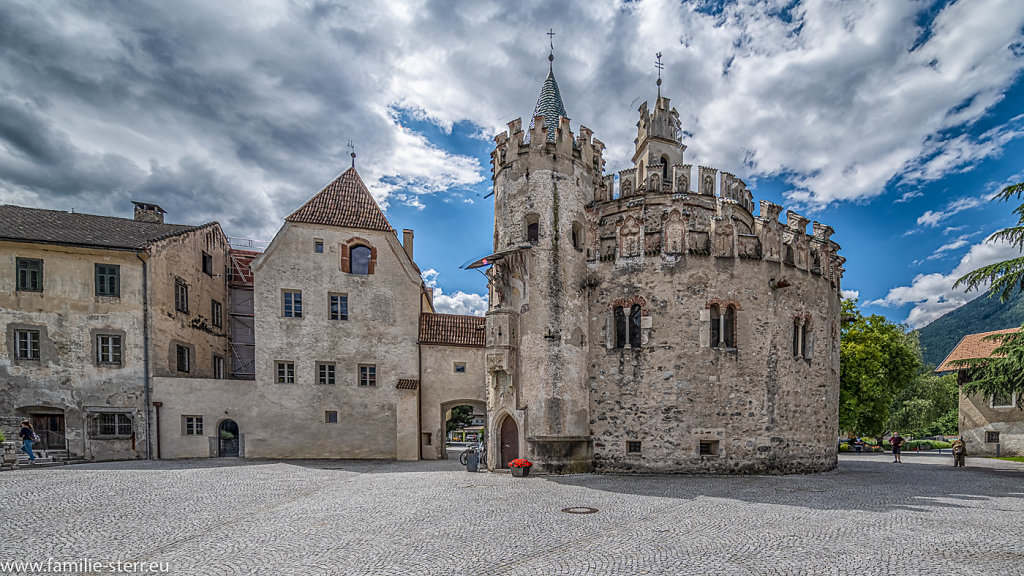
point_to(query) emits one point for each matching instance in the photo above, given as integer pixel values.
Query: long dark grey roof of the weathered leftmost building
(71, 229)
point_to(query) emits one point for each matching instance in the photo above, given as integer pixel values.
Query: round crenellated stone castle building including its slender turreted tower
(658, 325)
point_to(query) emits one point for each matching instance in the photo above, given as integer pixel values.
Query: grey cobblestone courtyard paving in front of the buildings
(239, 517)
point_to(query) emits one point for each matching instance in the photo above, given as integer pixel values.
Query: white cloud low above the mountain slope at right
(933, 296)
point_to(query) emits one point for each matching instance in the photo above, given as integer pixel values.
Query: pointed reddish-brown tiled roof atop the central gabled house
(347, 203)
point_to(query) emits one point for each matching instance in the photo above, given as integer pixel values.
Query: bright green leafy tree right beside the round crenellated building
(878, 360)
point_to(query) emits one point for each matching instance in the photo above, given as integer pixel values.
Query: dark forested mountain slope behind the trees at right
(980, 315)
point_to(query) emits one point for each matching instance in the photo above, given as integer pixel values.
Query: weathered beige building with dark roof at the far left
(91, 309)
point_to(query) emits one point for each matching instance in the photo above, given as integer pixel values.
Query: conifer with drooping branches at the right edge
(1004, 372)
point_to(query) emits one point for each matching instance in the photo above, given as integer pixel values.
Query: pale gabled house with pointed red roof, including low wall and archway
(351, 360)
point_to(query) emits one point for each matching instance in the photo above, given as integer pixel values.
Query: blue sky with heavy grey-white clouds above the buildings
(893, 121)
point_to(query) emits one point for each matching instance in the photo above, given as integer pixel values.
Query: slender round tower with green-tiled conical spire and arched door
(538, 392)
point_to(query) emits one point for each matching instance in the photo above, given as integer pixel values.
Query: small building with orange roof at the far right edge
(991, 424)
